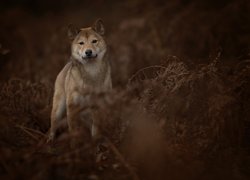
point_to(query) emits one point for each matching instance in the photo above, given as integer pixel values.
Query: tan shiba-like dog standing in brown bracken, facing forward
(88, 71)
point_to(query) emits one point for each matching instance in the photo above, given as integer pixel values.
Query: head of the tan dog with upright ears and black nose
(88, 44)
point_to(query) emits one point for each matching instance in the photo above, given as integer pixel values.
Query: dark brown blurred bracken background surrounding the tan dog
(186, 63)
